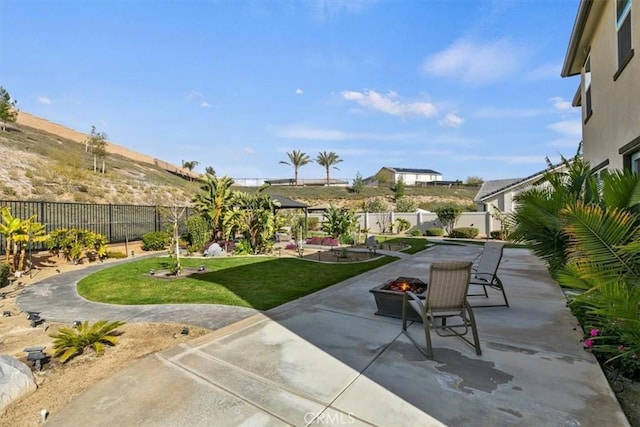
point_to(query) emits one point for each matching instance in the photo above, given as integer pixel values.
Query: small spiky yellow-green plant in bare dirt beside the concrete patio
(69, 342)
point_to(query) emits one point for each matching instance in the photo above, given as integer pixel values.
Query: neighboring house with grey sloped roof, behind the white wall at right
(502, 193)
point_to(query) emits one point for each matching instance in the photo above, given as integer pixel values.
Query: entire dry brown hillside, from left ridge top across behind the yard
(46, 161)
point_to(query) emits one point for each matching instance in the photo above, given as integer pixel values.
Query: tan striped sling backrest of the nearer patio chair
(448, 285)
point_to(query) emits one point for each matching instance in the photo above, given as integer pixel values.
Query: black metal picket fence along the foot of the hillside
(119, 223)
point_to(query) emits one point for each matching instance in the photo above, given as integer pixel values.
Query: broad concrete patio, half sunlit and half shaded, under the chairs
(327, 359)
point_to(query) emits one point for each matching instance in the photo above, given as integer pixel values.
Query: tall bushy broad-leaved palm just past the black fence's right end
(213, 199)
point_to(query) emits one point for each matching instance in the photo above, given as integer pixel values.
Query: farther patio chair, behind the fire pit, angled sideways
(485, 273)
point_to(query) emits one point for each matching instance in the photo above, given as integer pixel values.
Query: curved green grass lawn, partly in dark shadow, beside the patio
(258, 282)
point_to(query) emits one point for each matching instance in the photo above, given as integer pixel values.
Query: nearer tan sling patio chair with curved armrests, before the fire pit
(446, 297)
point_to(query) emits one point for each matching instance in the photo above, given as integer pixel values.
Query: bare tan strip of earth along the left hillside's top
(39, 123)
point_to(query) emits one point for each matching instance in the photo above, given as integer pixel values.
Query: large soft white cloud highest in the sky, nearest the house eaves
(475, 63)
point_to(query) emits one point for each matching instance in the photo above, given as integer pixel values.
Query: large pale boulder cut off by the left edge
(16, 381)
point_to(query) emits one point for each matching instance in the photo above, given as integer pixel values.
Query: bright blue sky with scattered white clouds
(467, 88)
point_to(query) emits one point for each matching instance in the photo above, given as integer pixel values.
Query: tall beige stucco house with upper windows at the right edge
(601, 51)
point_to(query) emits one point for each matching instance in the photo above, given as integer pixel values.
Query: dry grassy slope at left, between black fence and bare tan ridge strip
(41, 166)
